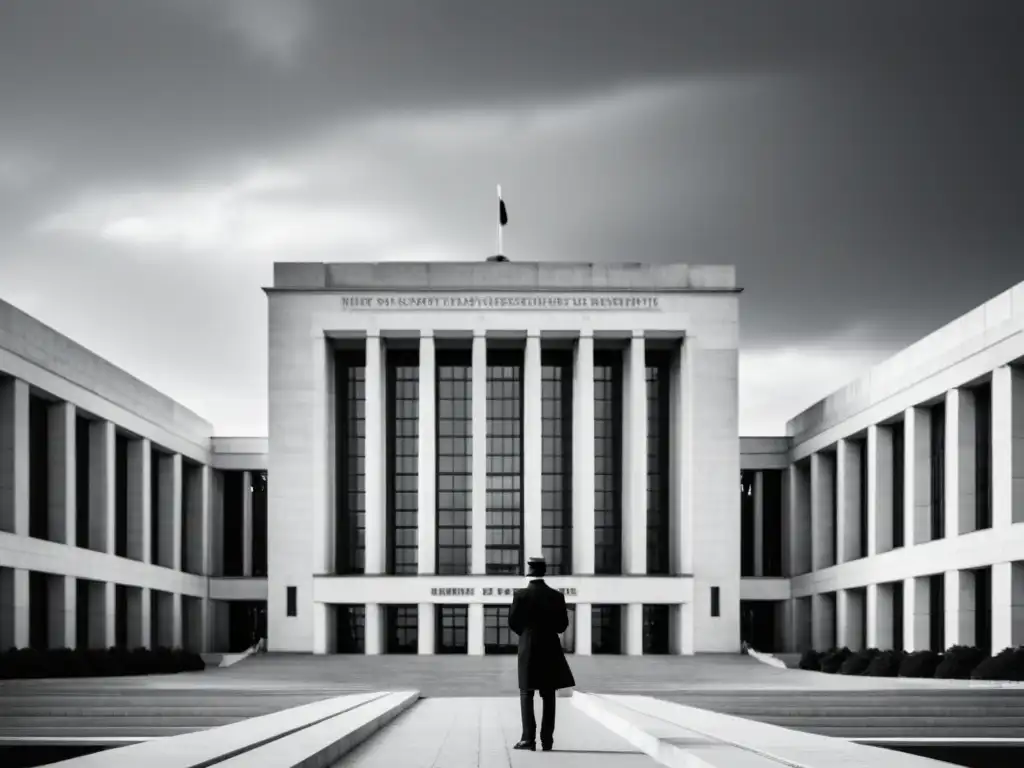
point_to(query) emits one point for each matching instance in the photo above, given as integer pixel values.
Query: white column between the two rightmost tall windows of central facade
(635, 458)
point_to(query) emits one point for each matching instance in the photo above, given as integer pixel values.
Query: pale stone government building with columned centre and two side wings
(435, 425)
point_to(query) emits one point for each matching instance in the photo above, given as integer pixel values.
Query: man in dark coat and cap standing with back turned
(539, 617)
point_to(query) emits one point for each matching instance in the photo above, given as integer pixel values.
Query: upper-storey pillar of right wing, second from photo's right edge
(961, 463)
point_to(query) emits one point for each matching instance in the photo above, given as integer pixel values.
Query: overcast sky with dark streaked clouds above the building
(862, 164)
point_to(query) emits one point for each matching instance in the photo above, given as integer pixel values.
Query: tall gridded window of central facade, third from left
(455, 461)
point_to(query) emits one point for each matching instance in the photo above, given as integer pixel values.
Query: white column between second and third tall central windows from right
(583, 465)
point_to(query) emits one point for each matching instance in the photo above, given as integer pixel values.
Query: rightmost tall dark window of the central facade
(659, 429)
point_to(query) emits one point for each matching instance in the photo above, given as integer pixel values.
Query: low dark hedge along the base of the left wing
(29, 663)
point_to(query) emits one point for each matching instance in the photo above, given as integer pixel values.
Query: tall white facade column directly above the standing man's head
(532, 450)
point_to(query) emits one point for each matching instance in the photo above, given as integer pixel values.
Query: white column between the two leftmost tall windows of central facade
(375, 466)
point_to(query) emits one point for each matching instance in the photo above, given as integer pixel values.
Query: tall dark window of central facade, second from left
(403, 423)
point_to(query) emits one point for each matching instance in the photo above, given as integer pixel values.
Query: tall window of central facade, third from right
(557, 461)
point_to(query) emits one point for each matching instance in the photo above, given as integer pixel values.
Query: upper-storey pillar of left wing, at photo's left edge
(15, 456)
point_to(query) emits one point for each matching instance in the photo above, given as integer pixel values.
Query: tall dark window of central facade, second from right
(608, 462)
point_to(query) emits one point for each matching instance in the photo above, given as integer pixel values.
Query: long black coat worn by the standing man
(539, 617)
